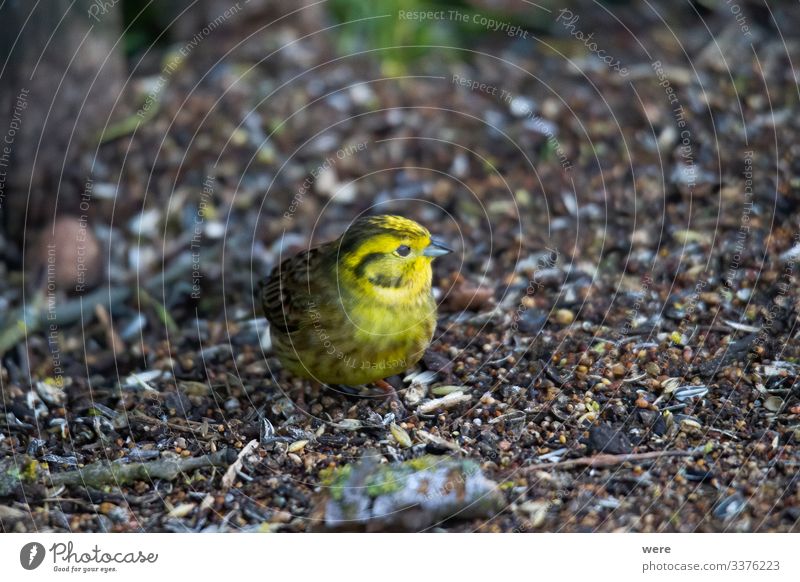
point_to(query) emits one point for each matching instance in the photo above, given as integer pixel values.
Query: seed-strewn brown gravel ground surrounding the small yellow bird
(624, 284)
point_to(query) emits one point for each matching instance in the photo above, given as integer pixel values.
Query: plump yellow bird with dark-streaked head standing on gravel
(358, 309)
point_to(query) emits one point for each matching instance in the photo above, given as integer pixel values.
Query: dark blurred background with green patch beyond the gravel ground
(77, 59)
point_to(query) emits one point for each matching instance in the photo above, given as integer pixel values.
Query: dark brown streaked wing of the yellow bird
(287, 292)
